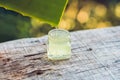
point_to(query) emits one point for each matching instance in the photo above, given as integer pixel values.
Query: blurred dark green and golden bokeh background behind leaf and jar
(79, 15)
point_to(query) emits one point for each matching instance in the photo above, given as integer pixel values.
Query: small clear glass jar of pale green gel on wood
(59, 46)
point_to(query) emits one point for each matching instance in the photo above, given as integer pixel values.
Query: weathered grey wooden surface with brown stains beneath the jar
(95, 56)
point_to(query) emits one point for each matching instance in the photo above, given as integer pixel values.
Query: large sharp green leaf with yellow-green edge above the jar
(49, 11)
